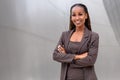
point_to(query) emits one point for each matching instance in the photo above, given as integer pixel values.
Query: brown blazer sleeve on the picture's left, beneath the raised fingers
(61, 57)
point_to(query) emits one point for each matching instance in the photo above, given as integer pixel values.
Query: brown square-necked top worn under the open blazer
(74, 73)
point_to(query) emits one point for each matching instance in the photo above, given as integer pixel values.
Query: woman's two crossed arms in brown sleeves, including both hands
(82, 60)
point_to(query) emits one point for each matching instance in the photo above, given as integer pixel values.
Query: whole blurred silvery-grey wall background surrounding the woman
(30, 30)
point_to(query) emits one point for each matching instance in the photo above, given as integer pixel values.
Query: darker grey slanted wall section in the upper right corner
(113, 11)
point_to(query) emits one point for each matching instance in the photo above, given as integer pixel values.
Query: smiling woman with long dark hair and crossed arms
(77, 48)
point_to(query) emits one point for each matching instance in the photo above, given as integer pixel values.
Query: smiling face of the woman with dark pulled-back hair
(78, 16)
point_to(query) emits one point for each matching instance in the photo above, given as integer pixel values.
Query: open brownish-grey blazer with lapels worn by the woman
(89, 43)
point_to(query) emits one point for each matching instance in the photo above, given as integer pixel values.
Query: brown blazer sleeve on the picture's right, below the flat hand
(92, 53)
